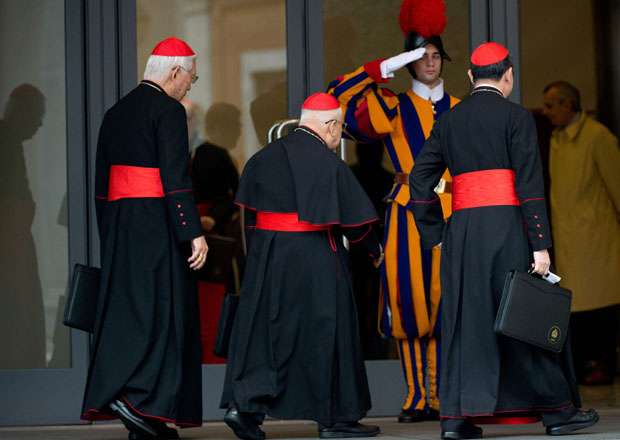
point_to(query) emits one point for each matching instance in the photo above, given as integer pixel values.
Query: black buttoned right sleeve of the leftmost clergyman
(172, 145)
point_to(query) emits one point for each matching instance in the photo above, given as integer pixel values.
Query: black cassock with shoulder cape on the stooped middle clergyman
(295, 351)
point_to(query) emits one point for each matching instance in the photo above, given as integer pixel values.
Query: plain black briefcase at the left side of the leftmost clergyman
(82, 302)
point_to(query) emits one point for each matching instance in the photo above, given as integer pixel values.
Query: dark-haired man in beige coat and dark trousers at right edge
(585, 217)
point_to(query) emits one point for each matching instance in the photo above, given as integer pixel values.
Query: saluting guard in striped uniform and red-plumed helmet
(410, 297)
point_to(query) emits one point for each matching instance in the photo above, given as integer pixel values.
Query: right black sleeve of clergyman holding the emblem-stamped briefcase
(529, 184)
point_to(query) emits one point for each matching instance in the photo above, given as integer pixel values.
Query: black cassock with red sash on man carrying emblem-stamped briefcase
(484, 374)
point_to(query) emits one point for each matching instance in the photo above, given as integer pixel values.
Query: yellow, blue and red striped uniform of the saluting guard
(409, 306)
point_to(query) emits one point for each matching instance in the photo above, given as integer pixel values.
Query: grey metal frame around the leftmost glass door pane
(53, 396)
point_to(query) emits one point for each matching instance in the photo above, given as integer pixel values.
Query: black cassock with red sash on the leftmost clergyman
(146, 345)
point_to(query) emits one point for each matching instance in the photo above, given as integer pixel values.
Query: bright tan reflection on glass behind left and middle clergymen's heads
(245, 68)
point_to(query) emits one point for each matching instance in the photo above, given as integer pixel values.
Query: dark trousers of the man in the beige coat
(594, 338)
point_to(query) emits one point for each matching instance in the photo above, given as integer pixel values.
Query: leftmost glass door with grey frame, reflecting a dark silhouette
(42, 362)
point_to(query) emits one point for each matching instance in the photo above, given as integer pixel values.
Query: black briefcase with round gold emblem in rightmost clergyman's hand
(534, 311)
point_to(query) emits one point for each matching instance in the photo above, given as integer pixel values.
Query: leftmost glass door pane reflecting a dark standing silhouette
(33, 227)
